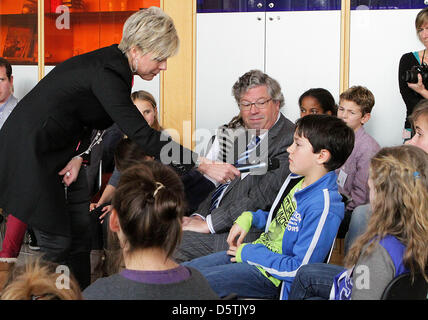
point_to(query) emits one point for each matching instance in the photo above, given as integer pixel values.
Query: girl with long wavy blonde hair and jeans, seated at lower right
(395, 240)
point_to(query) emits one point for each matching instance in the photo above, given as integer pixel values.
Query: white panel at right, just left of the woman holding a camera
(378, 40)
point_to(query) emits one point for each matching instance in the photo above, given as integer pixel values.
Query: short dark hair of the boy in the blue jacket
(330, 133)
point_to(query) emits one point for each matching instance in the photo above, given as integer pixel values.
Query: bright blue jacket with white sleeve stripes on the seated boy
(309, 235)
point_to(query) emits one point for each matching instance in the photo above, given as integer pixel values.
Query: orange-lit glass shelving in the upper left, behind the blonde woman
(81, 26)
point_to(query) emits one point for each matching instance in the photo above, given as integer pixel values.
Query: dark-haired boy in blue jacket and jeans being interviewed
(301, 225)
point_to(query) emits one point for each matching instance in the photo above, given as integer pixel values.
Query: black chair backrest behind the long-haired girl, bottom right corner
(402, 288)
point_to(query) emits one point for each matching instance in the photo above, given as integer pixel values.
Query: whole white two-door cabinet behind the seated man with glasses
(299, 49)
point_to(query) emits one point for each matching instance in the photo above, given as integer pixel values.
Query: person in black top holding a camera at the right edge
(413, 72)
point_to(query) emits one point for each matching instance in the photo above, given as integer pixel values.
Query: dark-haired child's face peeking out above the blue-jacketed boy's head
(317, 101)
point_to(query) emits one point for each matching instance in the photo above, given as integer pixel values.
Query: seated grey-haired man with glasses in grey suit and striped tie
(260, 99)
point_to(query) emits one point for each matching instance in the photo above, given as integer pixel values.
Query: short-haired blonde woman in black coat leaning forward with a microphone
(88, 91)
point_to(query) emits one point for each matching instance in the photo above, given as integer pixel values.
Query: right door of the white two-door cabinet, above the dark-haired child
(303, 52)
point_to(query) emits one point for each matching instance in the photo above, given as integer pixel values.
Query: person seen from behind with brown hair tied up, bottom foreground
(148, 207)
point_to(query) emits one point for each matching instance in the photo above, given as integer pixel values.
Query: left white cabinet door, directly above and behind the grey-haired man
(227, 46)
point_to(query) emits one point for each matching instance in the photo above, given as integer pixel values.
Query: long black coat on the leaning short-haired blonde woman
(41, 134)
